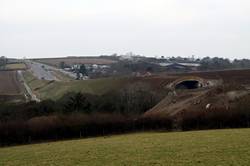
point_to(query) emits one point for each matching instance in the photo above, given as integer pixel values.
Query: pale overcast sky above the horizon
(49, 28)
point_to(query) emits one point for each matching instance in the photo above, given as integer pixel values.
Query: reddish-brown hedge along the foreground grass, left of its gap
(75, 125)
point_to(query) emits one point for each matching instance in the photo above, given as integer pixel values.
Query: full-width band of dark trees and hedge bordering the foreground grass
(78, 115)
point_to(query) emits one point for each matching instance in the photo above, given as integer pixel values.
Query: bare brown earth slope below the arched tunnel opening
(222, 97)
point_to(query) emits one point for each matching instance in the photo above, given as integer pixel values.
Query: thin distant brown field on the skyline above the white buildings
(75, 60)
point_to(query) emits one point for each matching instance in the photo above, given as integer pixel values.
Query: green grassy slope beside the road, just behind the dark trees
(56, 89)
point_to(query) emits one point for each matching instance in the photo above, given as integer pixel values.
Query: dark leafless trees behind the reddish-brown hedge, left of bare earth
(133, 99)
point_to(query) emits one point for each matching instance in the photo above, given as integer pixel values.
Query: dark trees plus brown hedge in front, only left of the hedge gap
(80, 115)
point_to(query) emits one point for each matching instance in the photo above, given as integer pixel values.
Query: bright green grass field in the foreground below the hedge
(214, 147)
